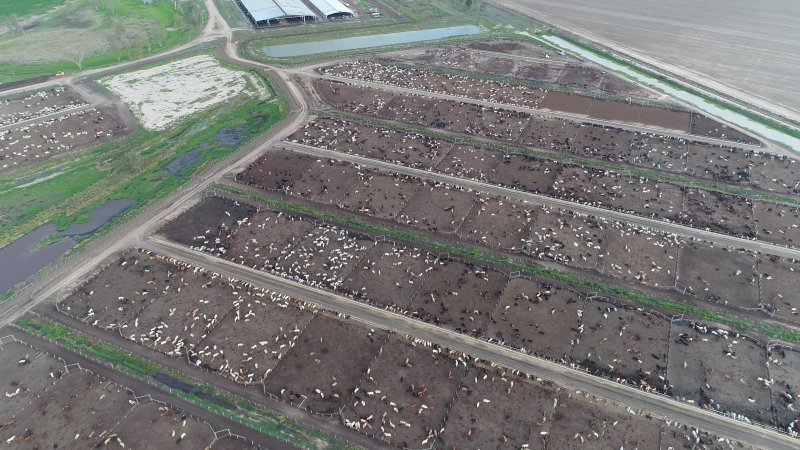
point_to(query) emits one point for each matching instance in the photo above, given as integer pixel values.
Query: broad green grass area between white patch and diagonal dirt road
(130, 167)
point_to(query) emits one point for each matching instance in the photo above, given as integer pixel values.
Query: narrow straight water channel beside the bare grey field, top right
(694, 100)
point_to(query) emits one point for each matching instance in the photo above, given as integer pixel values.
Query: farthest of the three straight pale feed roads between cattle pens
(536, 112)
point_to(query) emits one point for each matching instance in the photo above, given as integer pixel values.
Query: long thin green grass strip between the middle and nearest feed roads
(524, 266)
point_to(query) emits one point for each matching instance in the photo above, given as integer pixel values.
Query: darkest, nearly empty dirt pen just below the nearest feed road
(333, 356)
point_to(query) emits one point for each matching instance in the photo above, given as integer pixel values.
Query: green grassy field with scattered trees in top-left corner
(137, 41)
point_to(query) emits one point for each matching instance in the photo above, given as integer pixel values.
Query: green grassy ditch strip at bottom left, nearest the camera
(244, 411)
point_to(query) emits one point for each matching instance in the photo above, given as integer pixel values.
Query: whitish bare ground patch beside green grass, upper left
(165, 94)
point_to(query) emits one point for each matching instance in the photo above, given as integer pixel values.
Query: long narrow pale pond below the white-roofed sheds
(375, 40)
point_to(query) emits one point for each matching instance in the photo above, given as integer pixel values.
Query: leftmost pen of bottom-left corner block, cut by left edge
(25, 373)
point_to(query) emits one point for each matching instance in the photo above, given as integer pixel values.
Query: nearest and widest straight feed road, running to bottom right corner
(659, 406)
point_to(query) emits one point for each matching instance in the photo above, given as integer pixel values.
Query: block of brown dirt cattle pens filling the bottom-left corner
(63, 406)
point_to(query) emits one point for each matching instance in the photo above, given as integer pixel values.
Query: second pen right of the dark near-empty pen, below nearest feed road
(496, 409)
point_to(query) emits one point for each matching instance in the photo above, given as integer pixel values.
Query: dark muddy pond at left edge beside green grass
(31, 253)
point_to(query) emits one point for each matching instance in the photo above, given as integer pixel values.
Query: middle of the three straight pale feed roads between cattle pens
(537, 199)
